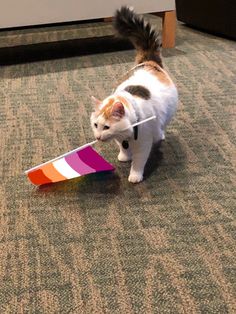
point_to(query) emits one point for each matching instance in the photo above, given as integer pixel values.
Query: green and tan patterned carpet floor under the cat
(100, 244)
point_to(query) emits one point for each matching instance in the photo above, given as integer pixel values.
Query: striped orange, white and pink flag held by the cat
(71, 165)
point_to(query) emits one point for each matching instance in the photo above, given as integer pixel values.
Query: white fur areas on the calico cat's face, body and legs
(162, 103)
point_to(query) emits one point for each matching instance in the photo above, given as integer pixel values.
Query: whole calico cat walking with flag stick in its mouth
(147, 91)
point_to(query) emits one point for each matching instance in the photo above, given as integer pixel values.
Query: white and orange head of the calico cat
(110, 118)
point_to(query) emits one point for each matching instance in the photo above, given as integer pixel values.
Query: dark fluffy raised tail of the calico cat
(146, 41)
